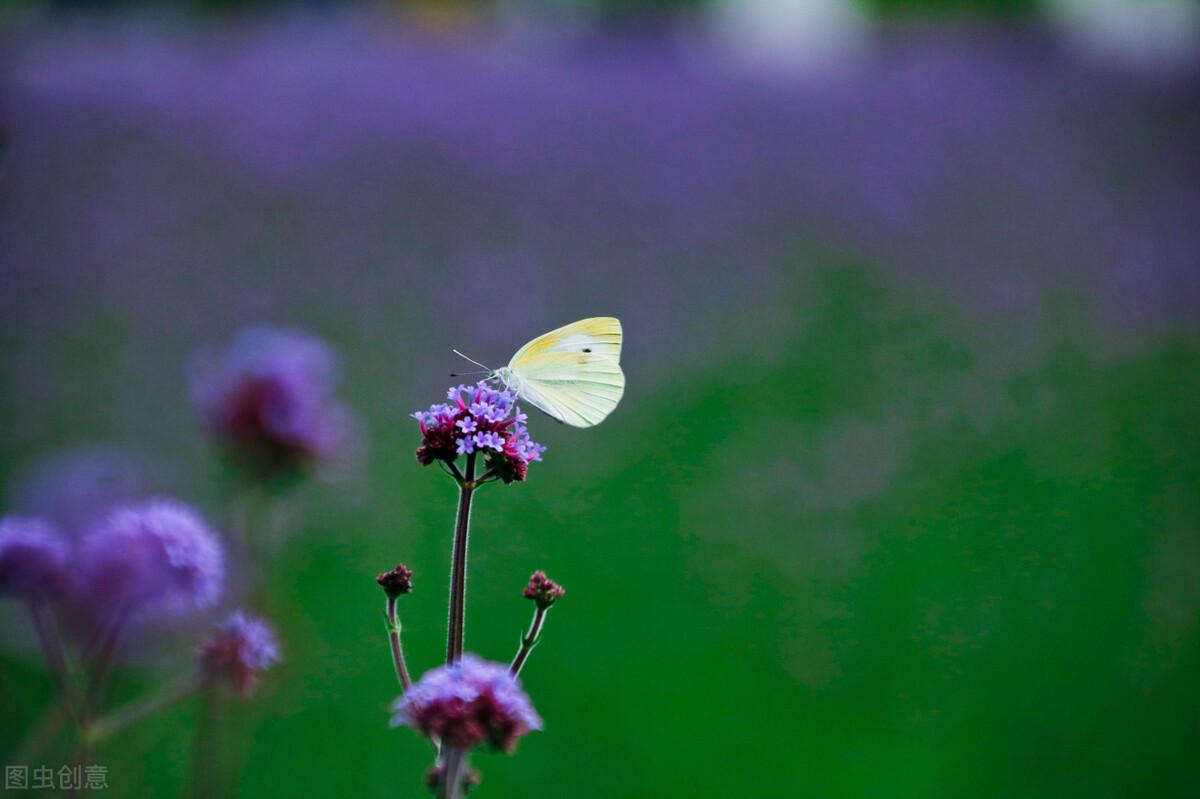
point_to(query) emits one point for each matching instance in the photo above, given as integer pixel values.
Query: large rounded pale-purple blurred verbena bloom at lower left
(153, 557)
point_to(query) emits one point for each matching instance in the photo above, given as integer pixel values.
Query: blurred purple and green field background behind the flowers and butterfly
(902, 500)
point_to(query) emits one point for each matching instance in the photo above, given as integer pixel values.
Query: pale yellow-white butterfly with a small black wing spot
(572, 375)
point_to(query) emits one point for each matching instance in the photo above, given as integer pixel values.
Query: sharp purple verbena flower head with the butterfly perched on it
(479, 419)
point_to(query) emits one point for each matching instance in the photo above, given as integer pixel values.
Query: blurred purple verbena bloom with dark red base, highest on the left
(269, 399)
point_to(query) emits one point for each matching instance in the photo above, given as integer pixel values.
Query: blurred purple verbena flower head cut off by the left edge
(33, 558)
